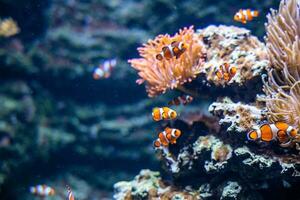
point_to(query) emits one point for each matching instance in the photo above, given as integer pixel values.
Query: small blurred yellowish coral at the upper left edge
(8, 27)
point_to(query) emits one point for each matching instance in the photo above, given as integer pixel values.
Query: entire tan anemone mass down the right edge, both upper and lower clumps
(283, 43)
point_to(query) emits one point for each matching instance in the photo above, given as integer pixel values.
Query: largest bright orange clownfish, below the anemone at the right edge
(268, 132)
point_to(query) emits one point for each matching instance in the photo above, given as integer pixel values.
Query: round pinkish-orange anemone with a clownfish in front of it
(169, 74)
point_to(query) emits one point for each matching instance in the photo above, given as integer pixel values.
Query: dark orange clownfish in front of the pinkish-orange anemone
(174, 49)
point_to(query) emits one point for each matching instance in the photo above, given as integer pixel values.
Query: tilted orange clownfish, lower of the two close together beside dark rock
(168, 136)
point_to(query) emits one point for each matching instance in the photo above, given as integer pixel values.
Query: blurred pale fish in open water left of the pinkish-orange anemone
(104, 70)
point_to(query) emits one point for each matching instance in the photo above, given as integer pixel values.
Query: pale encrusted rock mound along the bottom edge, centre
(148, 185)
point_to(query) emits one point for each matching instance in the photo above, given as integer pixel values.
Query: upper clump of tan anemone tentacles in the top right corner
(283, 43)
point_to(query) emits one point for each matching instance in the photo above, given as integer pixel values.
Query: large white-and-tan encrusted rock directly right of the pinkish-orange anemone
(235, 46)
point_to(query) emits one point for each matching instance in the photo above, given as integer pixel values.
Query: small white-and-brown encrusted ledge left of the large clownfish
(238, 117)
